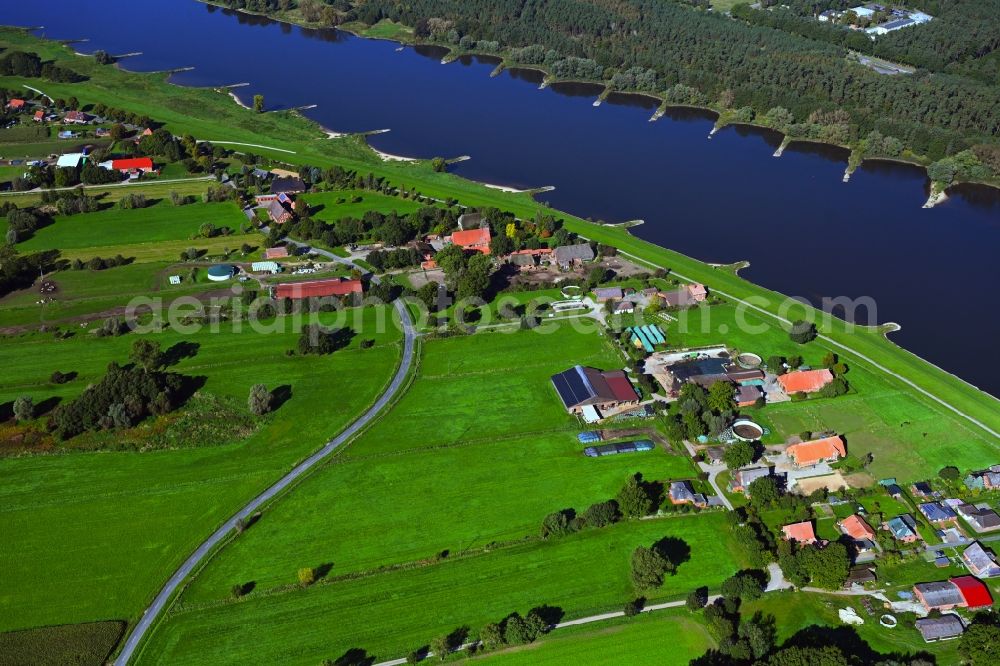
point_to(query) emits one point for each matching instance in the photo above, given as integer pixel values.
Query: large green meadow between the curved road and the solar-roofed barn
(510, 480)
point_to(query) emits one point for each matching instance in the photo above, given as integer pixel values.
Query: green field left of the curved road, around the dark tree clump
(111, 526)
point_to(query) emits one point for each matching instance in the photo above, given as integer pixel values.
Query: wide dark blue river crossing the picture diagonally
(804, 231)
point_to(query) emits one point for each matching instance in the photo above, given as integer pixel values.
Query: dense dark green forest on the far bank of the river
(694, 56)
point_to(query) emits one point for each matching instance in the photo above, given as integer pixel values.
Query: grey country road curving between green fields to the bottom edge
(162, 599)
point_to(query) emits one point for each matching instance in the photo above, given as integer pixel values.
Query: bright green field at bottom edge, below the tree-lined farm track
(673, 635)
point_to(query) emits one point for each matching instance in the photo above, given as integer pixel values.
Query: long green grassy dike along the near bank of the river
(211, 115)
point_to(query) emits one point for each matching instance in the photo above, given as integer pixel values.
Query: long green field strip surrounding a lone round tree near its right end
(580, 574)
